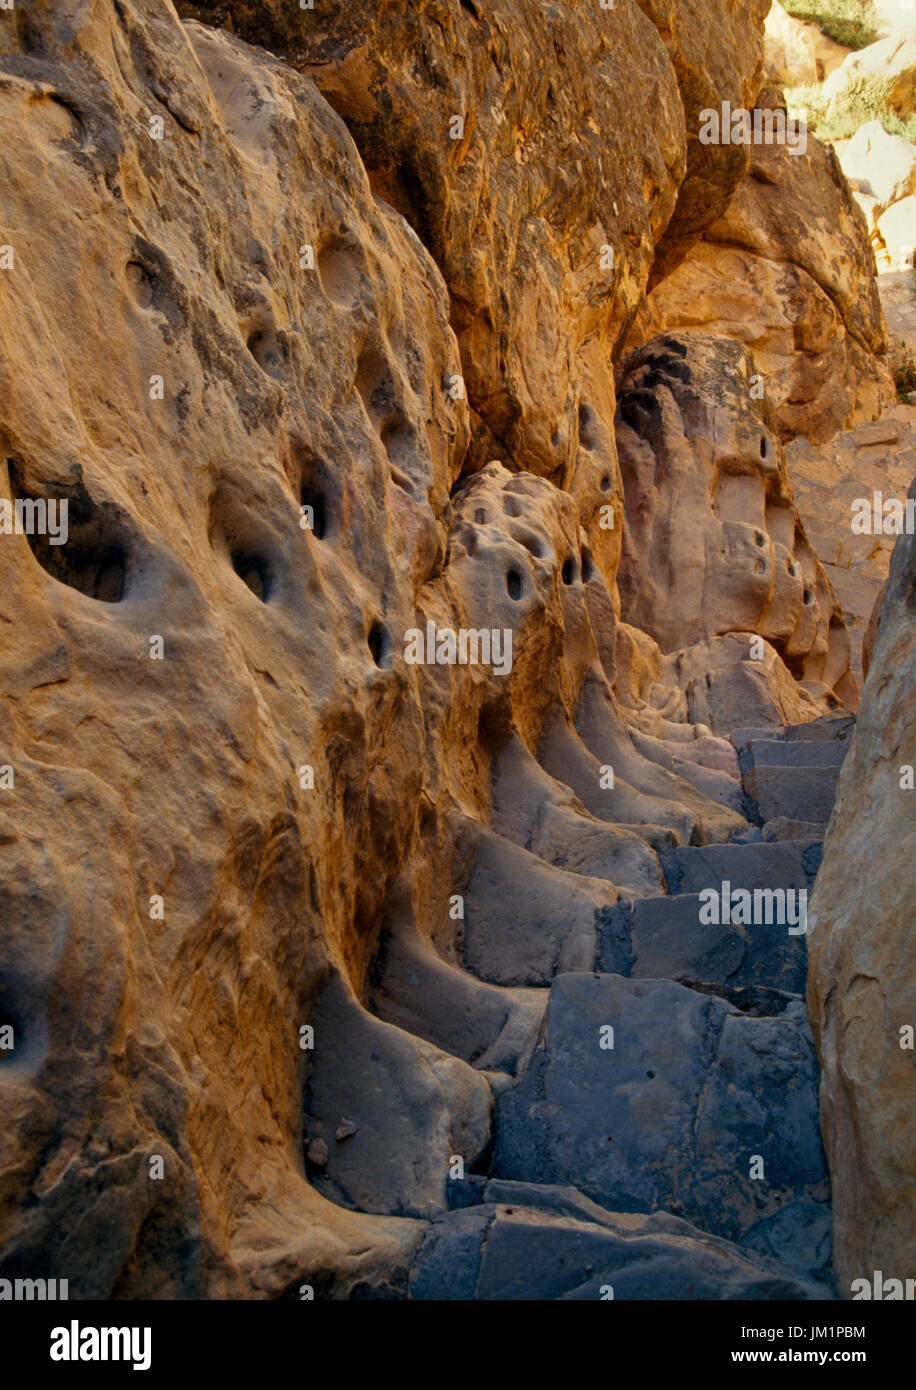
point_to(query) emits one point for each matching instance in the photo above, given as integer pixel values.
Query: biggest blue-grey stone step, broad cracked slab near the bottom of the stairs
(647, 1096)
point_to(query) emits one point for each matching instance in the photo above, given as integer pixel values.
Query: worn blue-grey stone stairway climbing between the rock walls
(643, 1113)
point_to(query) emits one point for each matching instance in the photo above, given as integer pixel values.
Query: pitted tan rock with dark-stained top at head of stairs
(712, 540)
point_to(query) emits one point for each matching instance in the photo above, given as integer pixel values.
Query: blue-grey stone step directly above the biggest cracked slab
(665, 939)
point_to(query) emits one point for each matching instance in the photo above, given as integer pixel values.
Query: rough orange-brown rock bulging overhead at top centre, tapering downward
(516, 174)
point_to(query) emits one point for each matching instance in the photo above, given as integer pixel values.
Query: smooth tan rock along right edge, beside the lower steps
(862, 979)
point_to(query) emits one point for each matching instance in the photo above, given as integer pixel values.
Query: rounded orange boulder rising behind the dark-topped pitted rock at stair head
(789, 272)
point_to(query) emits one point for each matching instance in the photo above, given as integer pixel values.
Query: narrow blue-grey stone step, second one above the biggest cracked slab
(787, 864)
